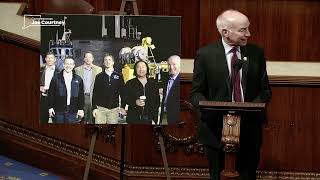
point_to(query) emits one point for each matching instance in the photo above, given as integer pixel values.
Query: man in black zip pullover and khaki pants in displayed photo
(106, 93)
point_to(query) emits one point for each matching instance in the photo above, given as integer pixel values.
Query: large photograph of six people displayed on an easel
(98, 69)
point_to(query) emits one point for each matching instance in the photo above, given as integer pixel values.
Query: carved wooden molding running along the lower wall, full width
(132, 171)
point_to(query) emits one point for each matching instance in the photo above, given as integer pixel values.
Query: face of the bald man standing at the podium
(238, 33)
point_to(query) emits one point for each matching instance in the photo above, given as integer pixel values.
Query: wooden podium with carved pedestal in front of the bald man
(231, 130)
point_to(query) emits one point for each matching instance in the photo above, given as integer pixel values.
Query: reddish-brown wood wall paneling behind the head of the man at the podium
(286, 29)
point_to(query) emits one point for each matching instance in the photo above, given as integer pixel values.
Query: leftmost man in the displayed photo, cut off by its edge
(47, 71)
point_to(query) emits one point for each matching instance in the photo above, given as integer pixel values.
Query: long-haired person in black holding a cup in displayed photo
(141, 94)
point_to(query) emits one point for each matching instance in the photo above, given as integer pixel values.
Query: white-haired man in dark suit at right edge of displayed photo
(170, 108)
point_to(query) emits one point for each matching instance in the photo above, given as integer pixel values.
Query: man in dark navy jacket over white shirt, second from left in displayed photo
(66, 97)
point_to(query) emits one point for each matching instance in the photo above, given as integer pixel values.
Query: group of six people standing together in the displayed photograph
(99, 95)
